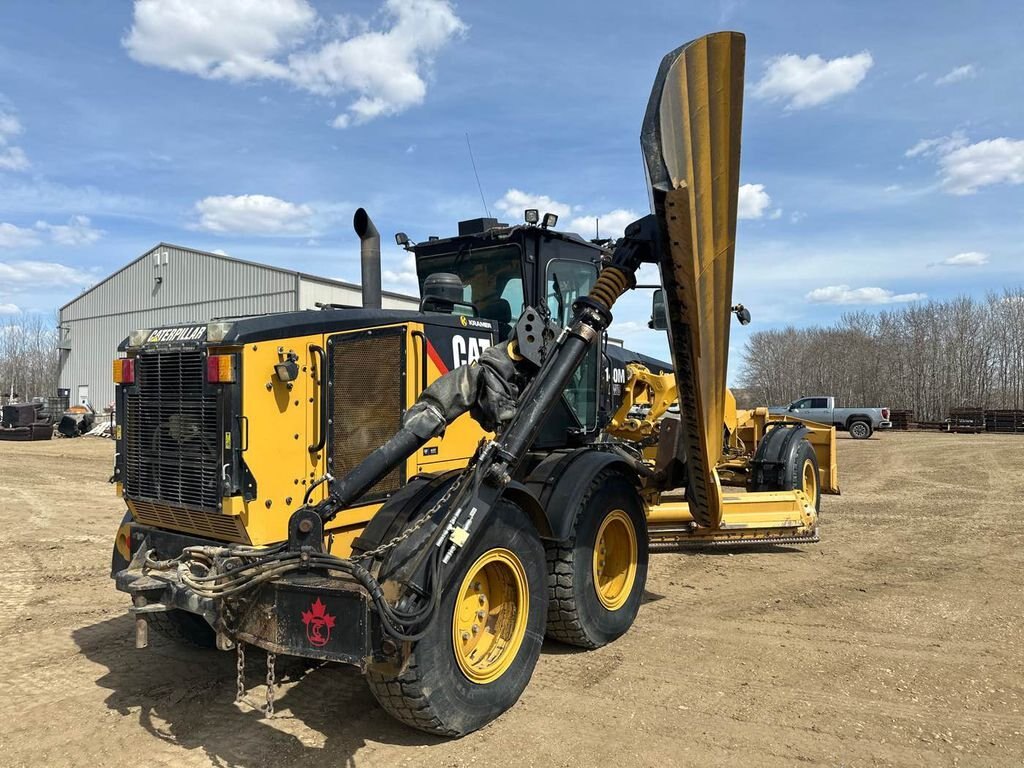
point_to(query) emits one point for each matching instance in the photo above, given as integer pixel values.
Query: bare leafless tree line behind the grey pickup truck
(926, 358)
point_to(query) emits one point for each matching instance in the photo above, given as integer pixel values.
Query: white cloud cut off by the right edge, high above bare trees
(965, 168)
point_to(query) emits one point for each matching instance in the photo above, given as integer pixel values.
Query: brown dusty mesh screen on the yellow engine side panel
(367, 401)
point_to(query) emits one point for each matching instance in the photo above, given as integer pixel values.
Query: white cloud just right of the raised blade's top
(813, 80)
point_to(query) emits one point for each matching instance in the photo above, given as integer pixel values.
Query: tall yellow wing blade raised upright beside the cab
(691, 140)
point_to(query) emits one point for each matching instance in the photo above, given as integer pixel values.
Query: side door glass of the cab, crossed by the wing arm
(565, 283)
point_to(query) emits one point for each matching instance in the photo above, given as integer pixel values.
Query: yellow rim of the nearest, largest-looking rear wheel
(491, 614)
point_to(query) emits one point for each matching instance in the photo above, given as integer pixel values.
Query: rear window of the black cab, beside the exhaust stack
(492, 280)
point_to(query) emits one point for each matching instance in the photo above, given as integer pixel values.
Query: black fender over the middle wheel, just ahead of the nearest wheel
(560, 483)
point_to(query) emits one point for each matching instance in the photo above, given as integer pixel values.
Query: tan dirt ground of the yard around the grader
(897, 642)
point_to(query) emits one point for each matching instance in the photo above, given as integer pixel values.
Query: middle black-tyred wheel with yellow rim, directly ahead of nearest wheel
(596, 580)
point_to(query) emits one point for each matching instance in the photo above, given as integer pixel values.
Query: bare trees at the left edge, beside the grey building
(28, 357)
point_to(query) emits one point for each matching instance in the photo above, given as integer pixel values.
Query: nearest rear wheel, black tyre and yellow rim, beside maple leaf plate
(484, 643)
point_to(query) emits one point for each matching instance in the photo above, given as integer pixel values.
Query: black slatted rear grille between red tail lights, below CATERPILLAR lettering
(172, 434)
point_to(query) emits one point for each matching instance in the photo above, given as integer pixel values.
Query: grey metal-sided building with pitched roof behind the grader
(172, 285)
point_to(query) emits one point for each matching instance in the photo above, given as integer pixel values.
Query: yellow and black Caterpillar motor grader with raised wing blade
(429, 495)
